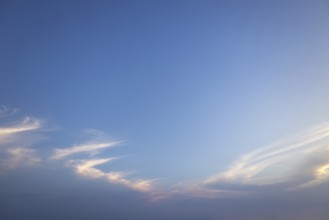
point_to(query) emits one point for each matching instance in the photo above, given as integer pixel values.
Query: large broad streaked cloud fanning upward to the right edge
(299, 162)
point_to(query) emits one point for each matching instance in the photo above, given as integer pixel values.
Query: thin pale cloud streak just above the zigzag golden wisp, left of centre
(91, 148)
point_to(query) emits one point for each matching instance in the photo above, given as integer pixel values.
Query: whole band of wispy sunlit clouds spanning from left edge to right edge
(294, 163)
